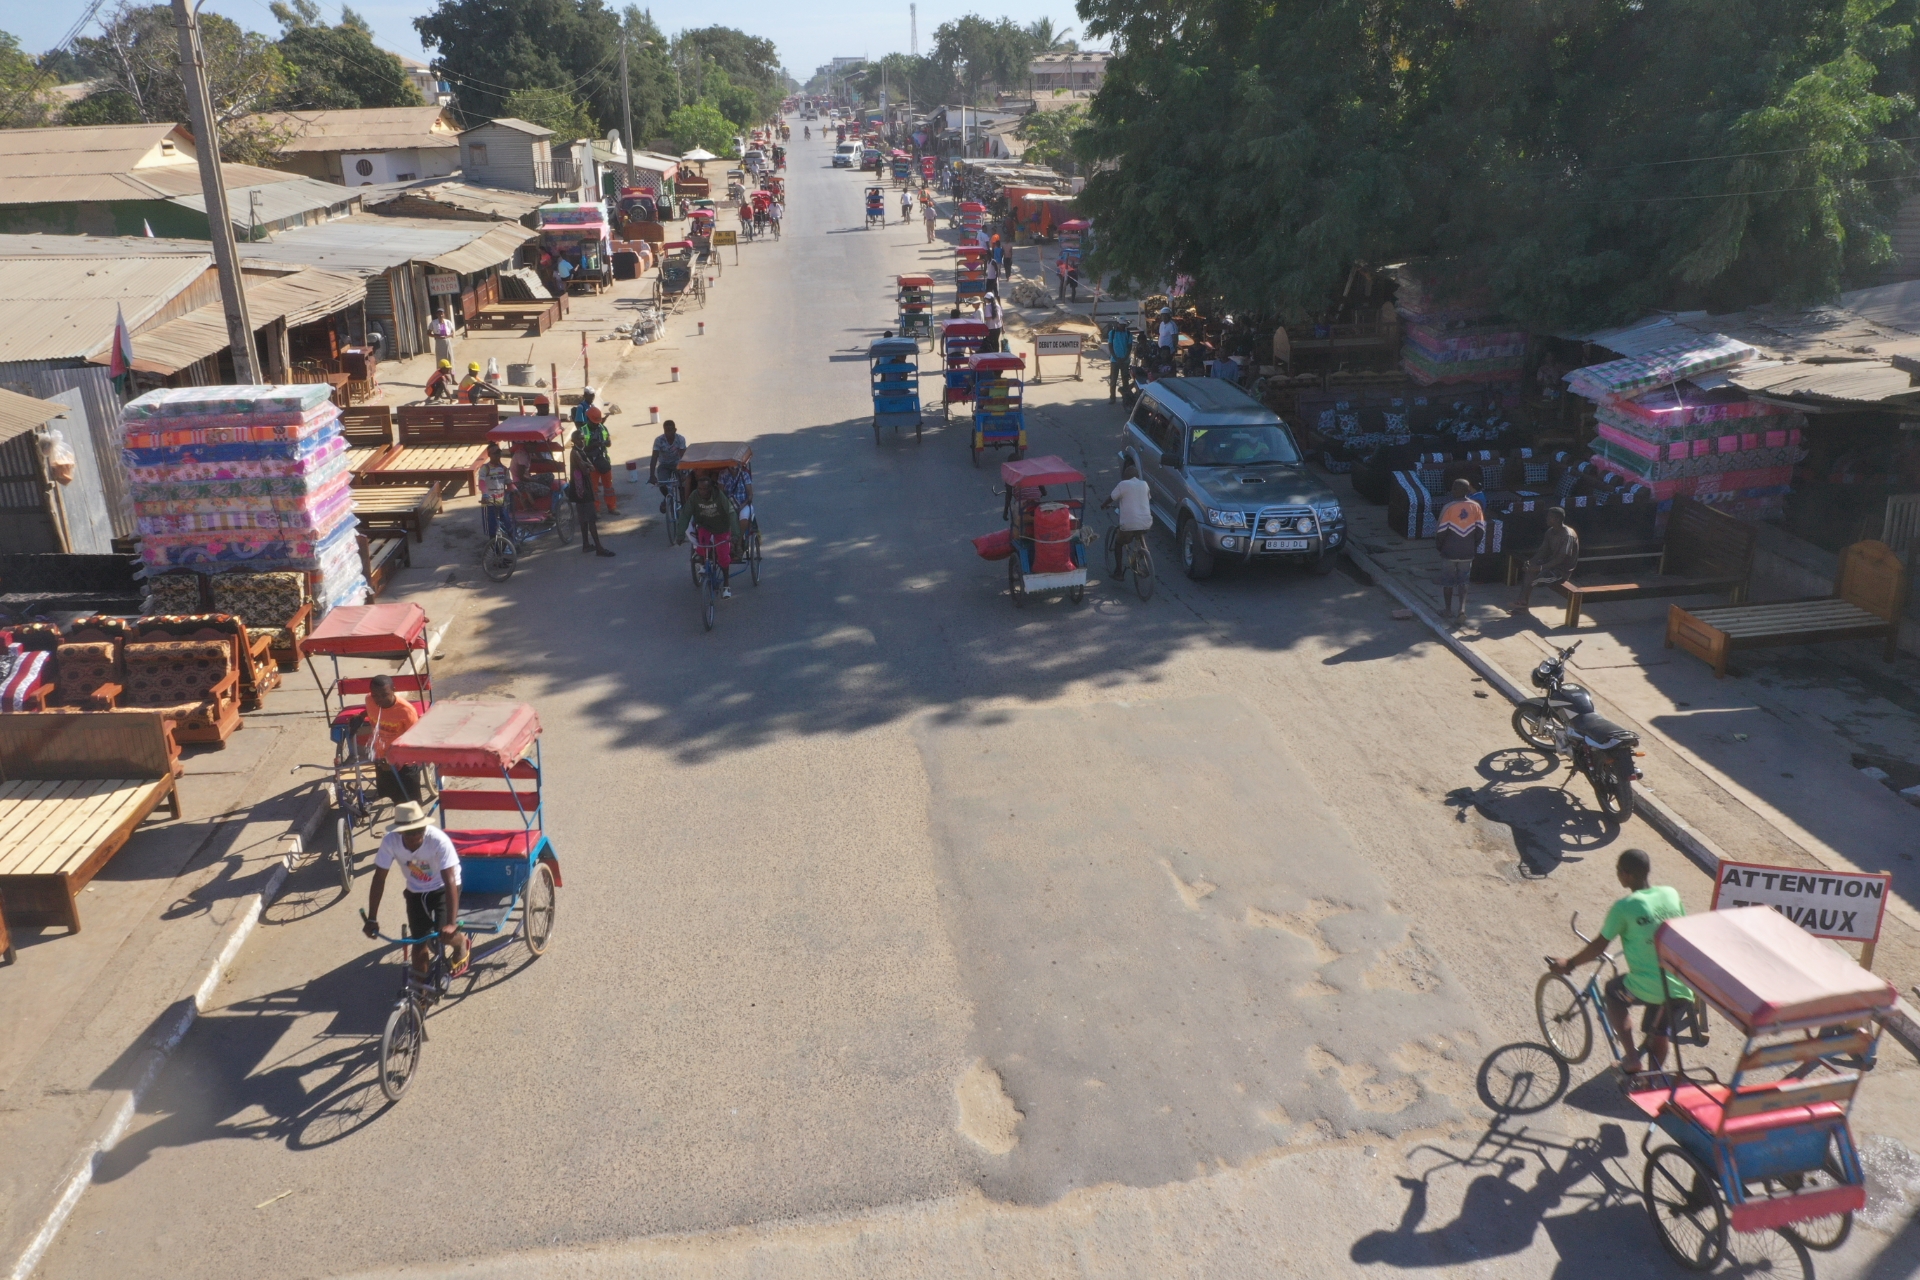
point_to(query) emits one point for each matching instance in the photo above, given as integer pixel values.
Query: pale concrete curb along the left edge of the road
(126, 1101)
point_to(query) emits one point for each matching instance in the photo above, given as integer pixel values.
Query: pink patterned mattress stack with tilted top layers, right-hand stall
(1668, 423)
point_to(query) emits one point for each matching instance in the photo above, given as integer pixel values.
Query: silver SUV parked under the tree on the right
(1228, 479)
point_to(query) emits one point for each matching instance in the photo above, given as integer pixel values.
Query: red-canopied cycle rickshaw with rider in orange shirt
(395, 638)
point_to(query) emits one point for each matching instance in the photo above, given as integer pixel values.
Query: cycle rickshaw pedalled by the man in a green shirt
(1769, 1149)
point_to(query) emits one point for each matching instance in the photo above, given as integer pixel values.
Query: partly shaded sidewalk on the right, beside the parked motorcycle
(1765, 763)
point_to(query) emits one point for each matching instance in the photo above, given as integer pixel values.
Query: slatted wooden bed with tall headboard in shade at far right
(1867, 604)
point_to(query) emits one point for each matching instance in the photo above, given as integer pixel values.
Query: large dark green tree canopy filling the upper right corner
(1579, 160)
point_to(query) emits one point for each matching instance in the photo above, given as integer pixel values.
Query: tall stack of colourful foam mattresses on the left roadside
(245, 477)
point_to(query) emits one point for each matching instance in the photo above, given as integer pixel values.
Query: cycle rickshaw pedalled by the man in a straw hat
(510, 872)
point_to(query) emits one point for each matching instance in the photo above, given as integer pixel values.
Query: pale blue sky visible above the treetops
(805, 36)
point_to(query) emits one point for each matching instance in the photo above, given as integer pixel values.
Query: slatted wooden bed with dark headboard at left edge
(72, 792)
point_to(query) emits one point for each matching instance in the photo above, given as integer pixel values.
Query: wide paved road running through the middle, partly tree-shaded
(905, 934)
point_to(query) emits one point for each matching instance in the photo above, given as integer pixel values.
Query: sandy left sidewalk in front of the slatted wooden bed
(87, 1010)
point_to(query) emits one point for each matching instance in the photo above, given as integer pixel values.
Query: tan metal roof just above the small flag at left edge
(55, 308)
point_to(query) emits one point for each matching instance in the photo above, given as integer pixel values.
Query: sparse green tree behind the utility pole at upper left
(139, 55)
